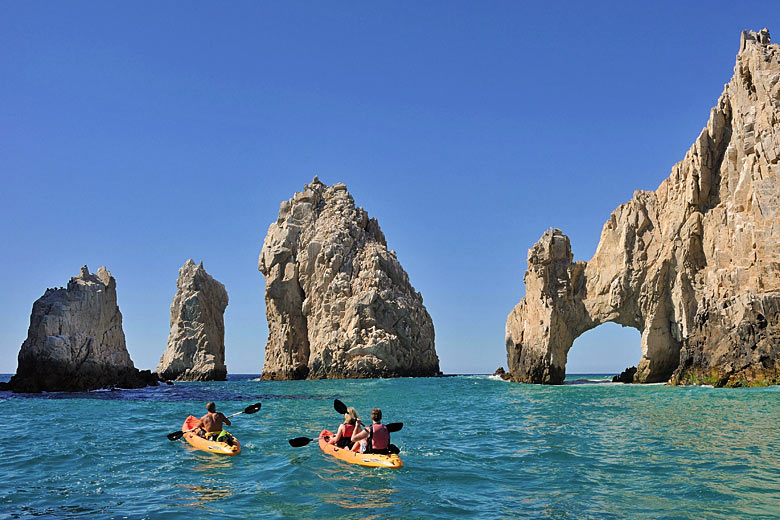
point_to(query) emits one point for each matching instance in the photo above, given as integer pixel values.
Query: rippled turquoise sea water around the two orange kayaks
(473, 447)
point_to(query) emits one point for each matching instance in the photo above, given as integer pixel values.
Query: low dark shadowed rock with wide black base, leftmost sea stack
(75, 341)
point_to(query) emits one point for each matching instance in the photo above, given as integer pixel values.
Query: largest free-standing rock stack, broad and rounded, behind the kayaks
(338, 303)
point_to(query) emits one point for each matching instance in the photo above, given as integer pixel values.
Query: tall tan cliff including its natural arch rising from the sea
(694, 265)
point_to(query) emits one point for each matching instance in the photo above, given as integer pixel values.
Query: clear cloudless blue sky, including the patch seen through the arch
(137, 135)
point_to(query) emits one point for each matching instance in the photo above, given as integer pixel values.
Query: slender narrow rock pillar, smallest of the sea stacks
(196, 343)
